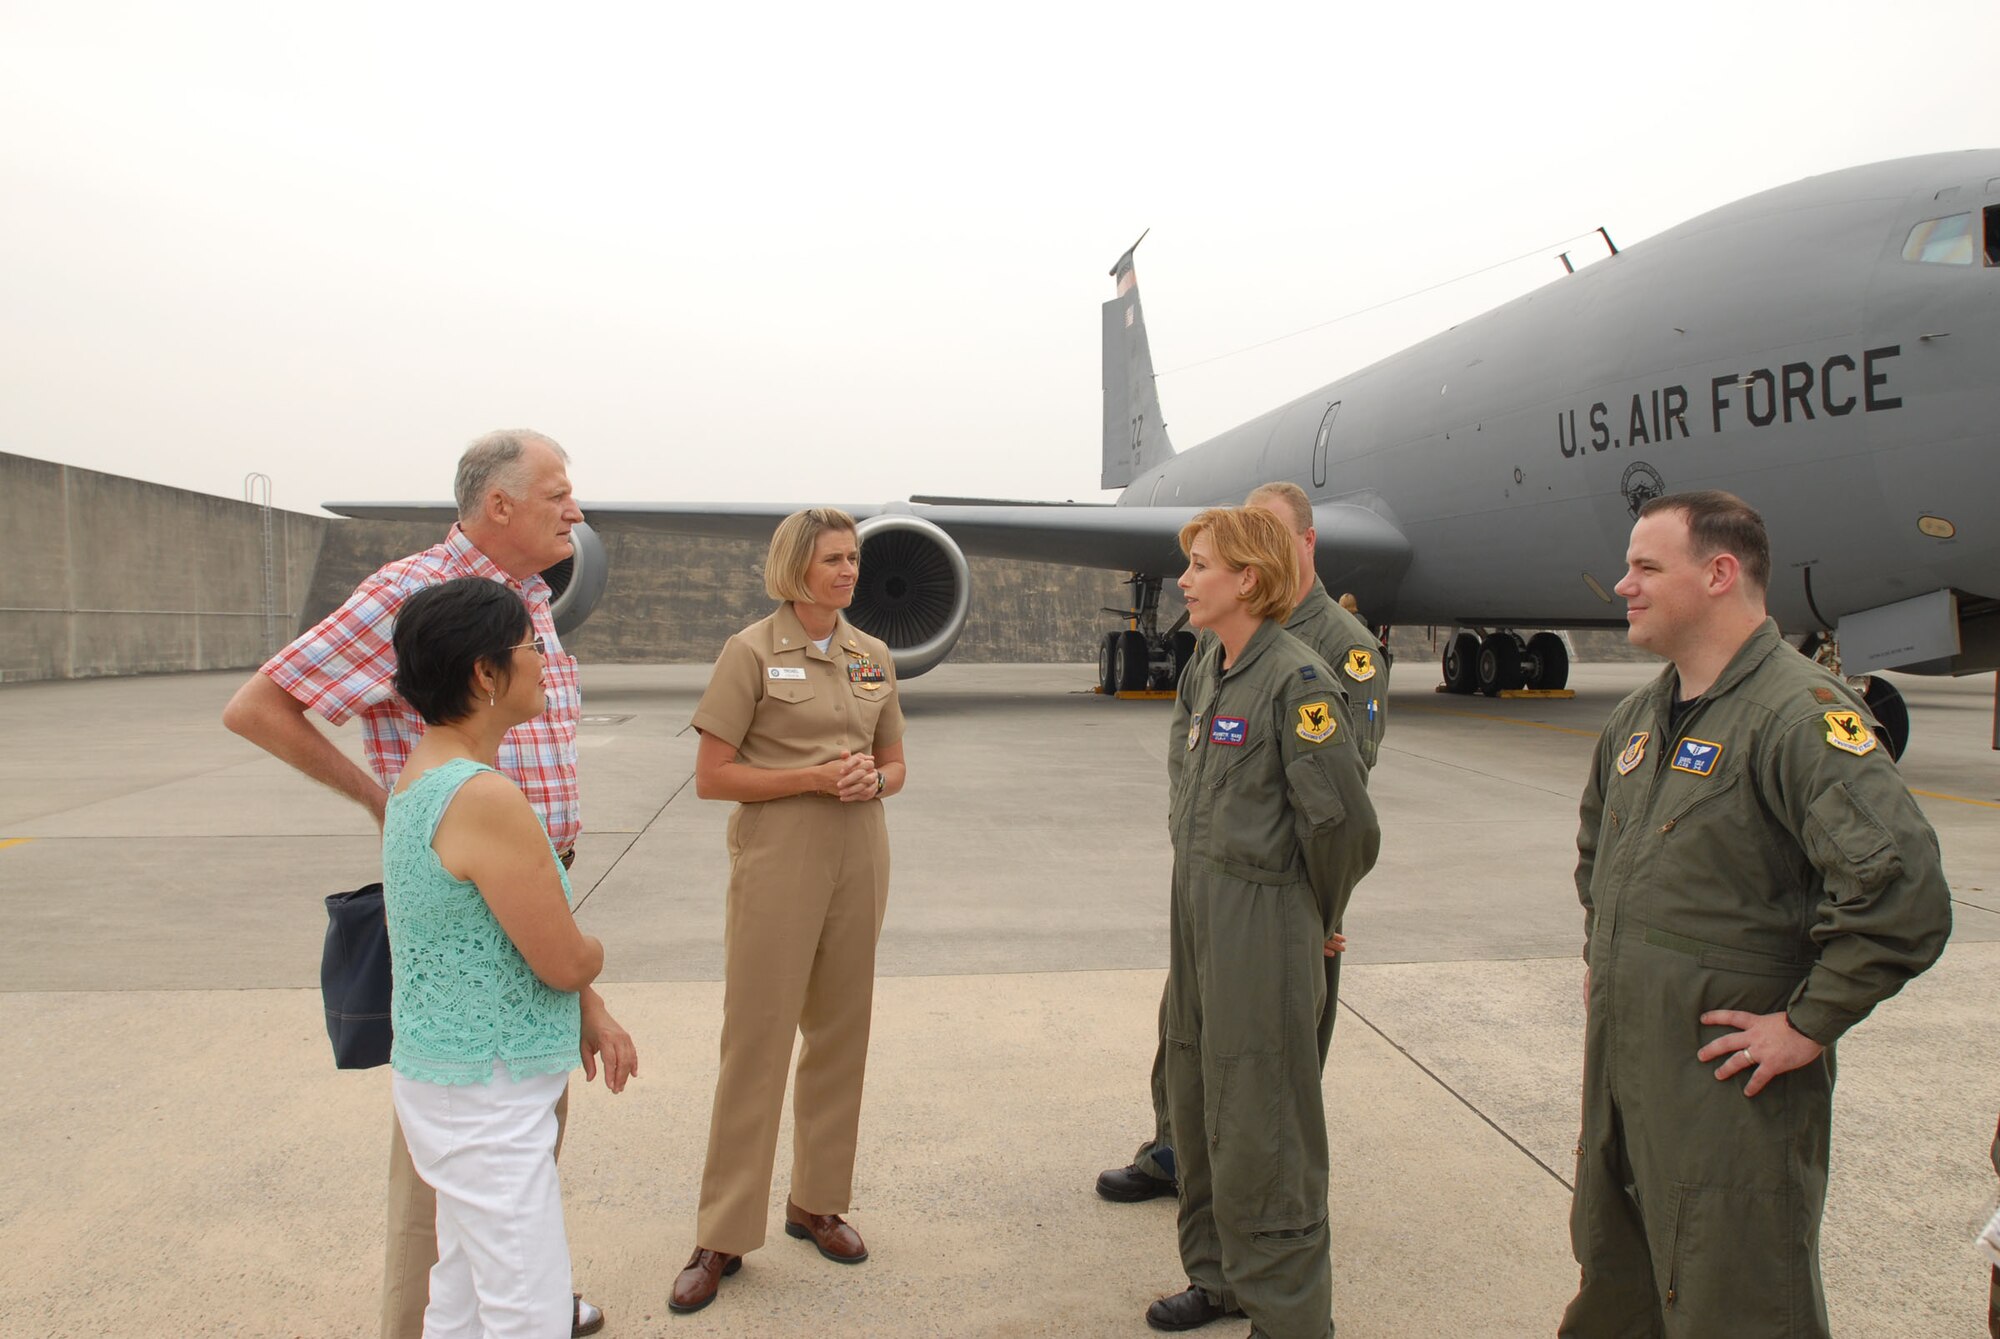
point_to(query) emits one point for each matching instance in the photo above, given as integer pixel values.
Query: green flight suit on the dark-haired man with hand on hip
(1761, 856)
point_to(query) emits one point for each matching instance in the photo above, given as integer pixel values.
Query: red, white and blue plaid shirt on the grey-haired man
(347, 667)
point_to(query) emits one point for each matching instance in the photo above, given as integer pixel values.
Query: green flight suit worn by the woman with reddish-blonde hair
(1273, 828)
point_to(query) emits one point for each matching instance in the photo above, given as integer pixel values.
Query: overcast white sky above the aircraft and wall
(839, 253)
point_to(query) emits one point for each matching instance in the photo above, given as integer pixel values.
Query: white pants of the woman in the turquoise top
(491, 1154)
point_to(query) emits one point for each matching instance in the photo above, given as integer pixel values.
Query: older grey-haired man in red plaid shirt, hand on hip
(515, 517)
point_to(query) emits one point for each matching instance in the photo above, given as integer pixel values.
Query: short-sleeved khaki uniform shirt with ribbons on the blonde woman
(783, 702)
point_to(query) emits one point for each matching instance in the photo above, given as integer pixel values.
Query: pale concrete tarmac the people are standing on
(179, 1156)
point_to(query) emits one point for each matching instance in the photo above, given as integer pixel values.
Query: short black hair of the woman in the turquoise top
(445, 633)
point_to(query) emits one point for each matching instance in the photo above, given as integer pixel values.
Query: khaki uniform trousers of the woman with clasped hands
(809, 886)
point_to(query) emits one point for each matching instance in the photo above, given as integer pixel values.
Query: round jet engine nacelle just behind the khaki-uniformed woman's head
(915, 591)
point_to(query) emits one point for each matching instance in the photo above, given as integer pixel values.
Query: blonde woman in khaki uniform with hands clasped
(801, 726)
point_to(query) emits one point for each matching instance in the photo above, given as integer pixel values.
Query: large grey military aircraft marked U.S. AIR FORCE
(1827, 351)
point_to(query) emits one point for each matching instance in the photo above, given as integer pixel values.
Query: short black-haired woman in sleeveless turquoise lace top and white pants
(487, 962)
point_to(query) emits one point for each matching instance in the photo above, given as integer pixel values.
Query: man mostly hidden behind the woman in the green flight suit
(1355, 653)
